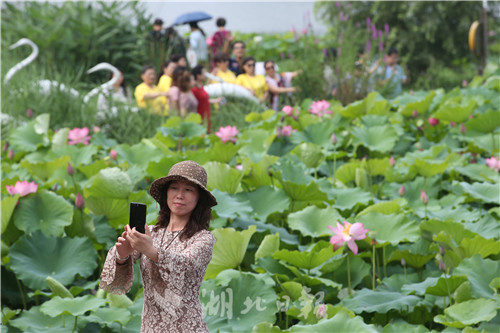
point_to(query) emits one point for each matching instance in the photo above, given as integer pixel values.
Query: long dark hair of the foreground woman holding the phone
(199, 219)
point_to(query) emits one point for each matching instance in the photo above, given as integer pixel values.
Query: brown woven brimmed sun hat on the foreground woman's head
(186, 170)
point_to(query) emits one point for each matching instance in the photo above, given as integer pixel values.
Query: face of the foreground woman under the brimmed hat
(182, 197)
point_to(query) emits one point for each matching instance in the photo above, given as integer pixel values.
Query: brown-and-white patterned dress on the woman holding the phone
(171, 287)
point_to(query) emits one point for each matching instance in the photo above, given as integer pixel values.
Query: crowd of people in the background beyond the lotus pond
(178, 90)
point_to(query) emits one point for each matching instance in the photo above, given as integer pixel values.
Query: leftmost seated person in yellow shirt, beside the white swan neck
(148, 95)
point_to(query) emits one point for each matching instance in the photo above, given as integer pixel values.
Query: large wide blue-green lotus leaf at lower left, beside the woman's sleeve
(35, 257)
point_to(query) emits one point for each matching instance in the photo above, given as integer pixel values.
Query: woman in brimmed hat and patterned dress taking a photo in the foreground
(174, 253)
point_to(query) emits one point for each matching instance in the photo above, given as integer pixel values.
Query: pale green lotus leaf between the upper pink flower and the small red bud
(376, 138)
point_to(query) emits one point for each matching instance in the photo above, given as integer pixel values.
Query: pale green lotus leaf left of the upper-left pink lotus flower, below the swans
(30, 136)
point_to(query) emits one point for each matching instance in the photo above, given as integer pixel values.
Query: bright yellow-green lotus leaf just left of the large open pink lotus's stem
(307, 260)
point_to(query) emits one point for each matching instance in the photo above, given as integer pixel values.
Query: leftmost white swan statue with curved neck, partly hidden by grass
(45, 85)
